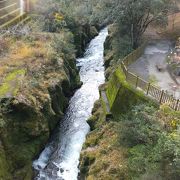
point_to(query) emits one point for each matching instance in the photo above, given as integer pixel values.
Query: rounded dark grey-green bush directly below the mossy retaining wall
(142, 127)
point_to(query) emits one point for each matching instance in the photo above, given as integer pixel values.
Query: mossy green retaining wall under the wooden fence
(122, 96)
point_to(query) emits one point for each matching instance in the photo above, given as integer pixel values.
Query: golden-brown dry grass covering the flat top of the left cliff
(33, 55)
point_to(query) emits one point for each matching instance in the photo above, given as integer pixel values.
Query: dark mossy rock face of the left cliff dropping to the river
(28, 121)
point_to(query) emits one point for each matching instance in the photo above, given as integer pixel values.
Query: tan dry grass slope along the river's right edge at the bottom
(110, 158)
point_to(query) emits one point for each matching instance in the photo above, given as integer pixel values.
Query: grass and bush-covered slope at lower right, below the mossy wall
(142, 143)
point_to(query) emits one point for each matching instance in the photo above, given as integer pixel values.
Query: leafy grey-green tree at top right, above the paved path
(134, 16)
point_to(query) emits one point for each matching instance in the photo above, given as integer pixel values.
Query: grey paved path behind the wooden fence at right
(155, 54)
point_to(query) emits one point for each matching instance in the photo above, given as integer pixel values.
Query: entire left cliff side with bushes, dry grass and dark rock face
(38, 74)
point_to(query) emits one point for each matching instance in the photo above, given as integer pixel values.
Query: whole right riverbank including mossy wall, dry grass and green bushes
(138, 139)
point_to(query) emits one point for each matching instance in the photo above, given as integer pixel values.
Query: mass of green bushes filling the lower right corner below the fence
(154, 150)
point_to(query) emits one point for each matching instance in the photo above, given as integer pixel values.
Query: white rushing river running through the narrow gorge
(60, 159)
